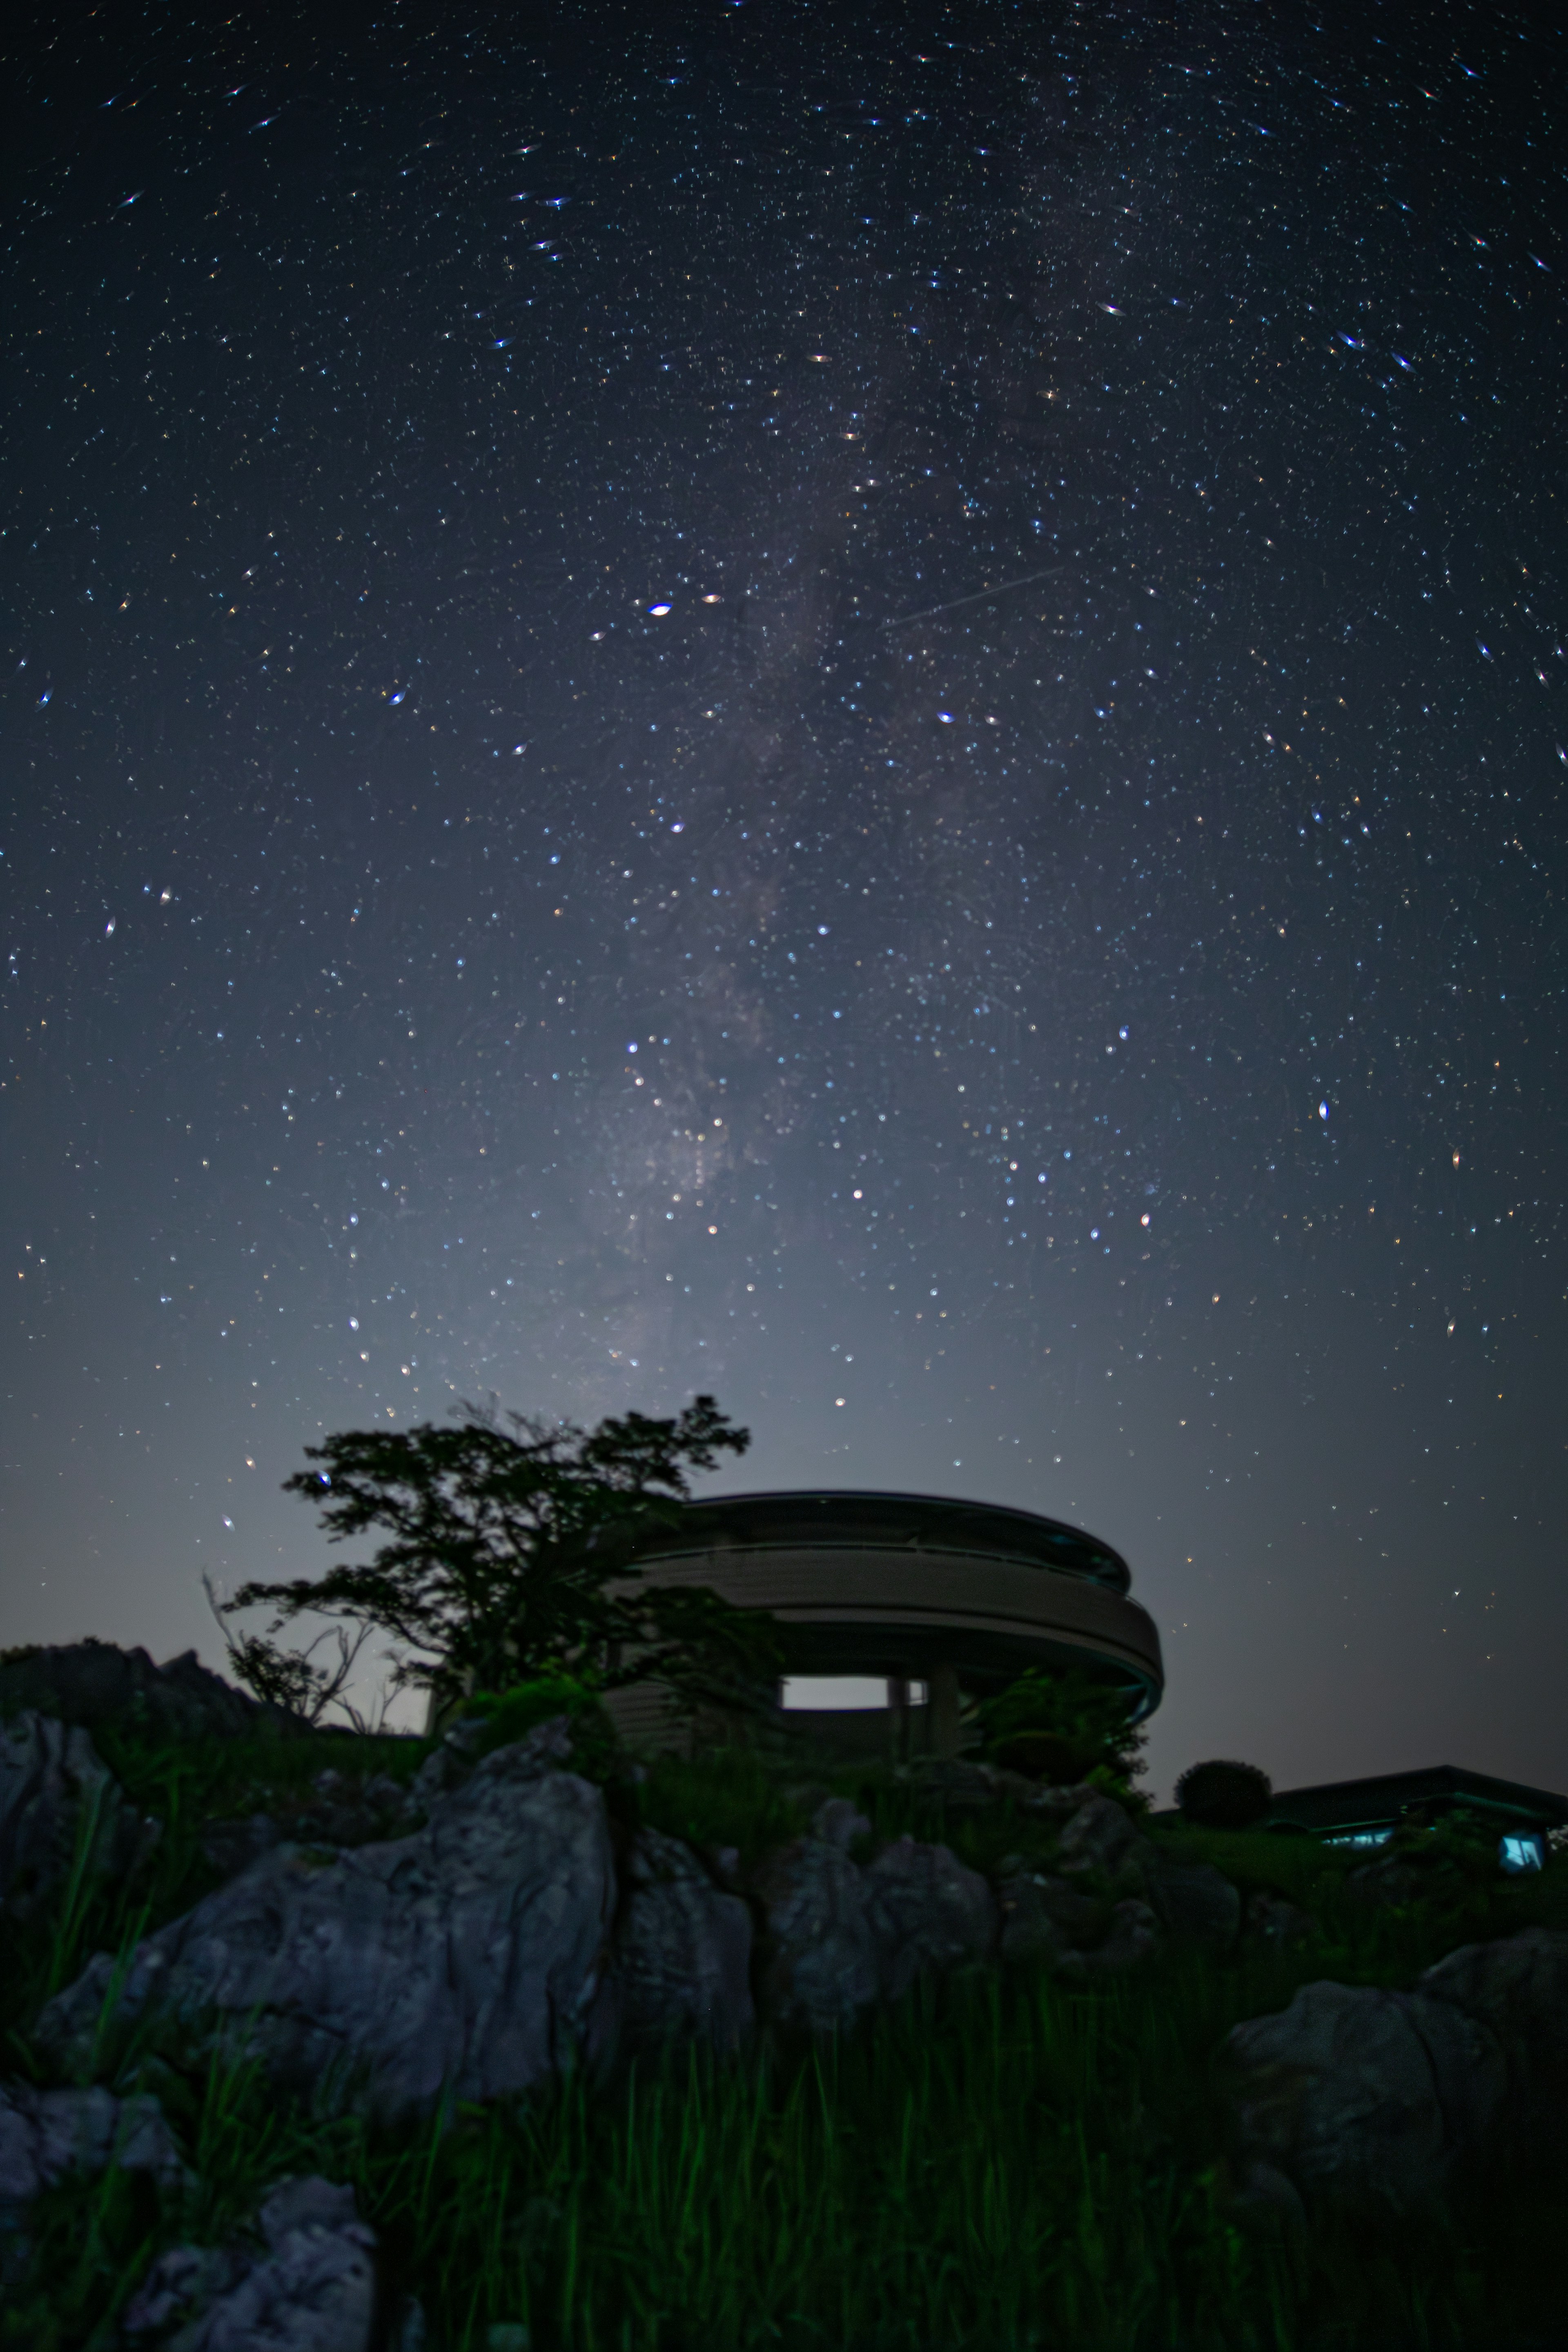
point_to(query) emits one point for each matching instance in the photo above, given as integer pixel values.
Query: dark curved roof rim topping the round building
(852, 1518)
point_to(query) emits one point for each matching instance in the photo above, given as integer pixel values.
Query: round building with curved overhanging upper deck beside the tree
(897, 1608)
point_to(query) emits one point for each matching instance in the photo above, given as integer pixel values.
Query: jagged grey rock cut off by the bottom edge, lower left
(311, 2287)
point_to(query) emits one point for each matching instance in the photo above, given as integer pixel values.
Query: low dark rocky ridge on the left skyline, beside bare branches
(95, 1683)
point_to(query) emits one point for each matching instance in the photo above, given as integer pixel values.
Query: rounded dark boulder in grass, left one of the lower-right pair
(1360, 2094)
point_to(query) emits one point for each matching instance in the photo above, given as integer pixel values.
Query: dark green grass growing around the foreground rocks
(1003, 2163)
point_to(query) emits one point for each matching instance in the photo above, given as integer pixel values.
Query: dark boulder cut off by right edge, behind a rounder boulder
(1517, 1991)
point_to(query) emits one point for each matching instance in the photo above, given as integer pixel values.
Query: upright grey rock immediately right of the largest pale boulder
(681, 1960)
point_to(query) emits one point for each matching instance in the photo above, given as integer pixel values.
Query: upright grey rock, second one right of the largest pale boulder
(822, 1951)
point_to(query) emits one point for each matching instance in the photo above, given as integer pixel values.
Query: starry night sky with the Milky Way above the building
(864, 709)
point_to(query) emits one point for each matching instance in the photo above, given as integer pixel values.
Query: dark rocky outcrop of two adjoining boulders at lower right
(1355, 2094)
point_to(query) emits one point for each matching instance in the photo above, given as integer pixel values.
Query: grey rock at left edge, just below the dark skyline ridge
(53, 1791)
